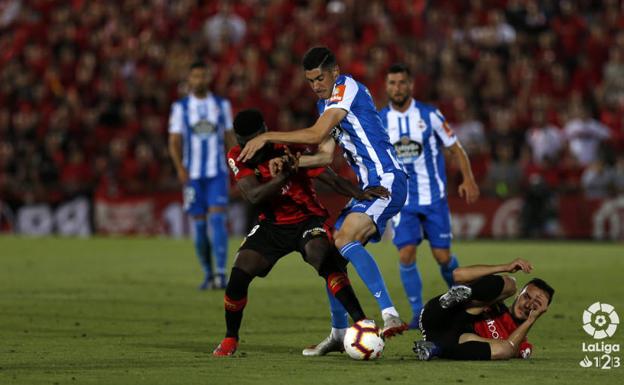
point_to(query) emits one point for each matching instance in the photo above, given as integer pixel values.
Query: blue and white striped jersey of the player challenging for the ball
(361, 135)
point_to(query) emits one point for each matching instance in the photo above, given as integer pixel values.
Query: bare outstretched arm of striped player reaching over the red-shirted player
(311, 135)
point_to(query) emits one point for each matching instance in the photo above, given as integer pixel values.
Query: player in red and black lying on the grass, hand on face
(471, 321)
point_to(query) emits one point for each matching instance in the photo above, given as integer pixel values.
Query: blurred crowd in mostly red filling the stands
(533, 89)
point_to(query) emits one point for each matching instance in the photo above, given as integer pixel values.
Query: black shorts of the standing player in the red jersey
(273, 241)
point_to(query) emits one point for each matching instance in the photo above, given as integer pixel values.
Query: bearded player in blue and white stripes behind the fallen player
(419, 132)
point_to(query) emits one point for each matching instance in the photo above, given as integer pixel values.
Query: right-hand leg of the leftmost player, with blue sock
(217, 199)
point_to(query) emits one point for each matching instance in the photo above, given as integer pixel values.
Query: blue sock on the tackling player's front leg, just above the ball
(368, 271)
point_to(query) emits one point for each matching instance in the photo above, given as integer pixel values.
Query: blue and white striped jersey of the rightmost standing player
(418, 135)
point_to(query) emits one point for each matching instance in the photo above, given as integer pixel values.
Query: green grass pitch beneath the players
(126, 311)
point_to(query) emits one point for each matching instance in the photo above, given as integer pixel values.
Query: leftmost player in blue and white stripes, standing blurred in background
(199, 128)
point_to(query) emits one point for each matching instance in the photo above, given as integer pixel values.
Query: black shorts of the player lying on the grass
(445, 326)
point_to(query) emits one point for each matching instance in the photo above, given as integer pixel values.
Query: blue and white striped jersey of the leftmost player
(202, 124)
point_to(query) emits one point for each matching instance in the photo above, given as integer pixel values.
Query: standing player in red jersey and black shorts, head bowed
(291, 219)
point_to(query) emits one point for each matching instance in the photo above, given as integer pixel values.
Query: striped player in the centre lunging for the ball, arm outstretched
(348, 116)
